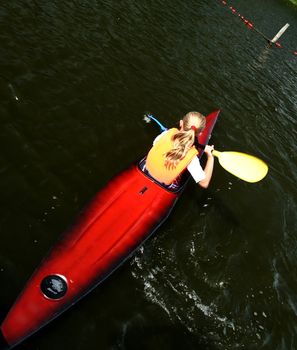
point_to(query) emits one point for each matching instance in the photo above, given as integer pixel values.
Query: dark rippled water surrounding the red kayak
(76, 79)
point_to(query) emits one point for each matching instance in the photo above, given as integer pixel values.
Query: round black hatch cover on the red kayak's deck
(53, 287)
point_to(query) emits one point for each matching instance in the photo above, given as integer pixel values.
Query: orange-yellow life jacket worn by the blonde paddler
(155, 161)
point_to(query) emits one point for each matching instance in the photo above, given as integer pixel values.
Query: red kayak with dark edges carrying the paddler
(112, 226)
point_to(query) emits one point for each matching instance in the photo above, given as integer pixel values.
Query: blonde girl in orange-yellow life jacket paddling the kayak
(173, 151)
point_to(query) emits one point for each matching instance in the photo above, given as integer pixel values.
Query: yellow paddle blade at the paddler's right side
(244, 166)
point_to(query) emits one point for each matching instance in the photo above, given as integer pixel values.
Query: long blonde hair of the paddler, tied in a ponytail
(192, 124)
